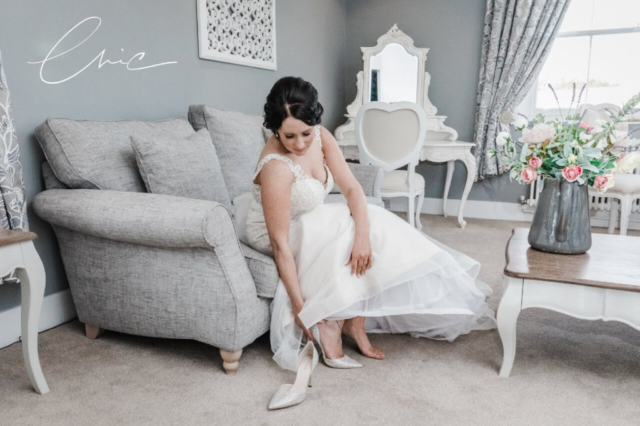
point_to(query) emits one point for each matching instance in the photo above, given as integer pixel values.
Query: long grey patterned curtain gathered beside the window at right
(518, 35)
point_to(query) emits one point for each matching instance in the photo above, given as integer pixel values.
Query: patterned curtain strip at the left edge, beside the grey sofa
(13, 206)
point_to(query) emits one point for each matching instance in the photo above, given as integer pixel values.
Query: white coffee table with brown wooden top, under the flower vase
(602, 284)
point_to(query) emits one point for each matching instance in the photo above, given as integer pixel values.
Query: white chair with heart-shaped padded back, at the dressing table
(391, 136)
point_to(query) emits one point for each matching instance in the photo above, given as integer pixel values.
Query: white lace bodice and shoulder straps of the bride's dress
(306, 192)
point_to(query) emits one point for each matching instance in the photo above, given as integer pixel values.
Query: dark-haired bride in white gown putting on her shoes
(346, 269)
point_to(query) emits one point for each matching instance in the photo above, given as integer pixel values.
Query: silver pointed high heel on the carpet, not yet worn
(289, 395)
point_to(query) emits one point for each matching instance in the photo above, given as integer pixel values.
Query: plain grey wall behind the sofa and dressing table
(317, 39)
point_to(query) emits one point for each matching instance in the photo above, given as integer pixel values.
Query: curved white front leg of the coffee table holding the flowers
(508, 311)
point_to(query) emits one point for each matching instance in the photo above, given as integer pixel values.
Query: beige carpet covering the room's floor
(566, 372)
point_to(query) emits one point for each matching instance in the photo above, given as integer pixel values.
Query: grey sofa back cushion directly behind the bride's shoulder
(239, 139)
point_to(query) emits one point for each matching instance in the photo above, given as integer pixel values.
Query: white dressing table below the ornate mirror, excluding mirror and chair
(437, 151)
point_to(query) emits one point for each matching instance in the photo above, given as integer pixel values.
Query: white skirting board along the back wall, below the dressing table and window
(495, 210)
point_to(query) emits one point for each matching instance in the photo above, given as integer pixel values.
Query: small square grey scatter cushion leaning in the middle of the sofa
(184, 167)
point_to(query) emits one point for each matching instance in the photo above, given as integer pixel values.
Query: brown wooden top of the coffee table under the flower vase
(612, 262)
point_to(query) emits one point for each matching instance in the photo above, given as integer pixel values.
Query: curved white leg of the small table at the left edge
(32, 283)
